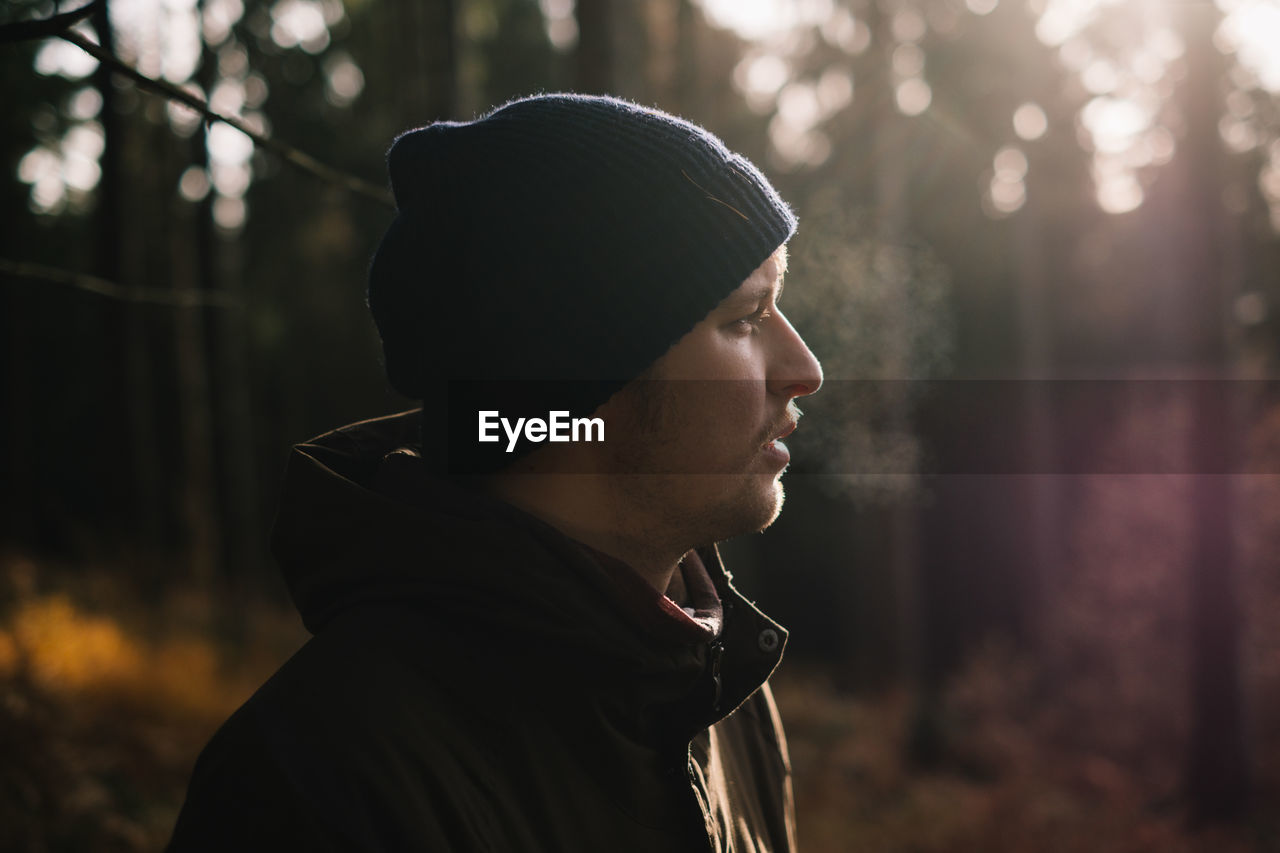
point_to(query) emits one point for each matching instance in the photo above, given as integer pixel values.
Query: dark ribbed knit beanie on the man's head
(548, 253)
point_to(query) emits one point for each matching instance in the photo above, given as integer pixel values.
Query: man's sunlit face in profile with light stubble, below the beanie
(696, 440)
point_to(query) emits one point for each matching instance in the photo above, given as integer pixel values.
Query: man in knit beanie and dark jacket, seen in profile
(527, 642)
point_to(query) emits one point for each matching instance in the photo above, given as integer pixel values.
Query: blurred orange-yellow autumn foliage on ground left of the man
(106, 708)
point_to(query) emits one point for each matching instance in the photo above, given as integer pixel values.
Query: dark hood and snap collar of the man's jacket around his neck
(364, 523)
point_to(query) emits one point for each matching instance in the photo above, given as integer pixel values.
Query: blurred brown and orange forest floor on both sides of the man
(106, 703)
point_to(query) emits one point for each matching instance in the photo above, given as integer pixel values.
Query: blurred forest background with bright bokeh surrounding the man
(1030, 551)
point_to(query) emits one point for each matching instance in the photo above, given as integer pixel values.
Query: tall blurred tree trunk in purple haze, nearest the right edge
(1218, 769)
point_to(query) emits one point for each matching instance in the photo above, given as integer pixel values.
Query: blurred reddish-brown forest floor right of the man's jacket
(995, 787)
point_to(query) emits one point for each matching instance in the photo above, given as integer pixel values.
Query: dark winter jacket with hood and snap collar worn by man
(479, 682)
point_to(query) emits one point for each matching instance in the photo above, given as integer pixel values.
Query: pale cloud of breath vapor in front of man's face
(870, 311)
